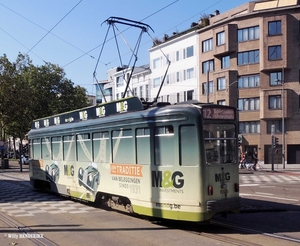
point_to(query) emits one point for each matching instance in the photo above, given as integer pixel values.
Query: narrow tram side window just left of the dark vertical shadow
(143, 145)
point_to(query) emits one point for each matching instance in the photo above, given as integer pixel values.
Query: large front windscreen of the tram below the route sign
(220, 143)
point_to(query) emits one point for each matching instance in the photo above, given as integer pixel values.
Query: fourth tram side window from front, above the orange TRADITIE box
(122, 146)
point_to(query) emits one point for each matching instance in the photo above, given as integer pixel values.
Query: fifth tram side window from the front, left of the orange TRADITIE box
(101, 148)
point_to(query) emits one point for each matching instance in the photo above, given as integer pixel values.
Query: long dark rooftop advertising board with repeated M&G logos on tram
(94, 112)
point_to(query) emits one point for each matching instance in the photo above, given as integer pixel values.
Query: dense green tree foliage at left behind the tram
(29, 92)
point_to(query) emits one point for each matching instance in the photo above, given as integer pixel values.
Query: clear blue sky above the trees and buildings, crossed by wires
(71, 33)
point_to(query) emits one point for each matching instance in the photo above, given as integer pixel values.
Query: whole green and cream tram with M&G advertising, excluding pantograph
(177, 162)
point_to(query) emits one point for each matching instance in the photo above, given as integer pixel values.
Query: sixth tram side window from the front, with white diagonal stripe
(83, 144)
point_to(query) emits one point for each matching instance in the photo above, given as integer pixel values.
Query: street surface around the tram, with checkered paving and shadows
(269, 216)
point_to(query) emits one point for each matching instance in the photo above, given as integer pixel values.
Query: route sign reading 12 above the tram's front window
(218, 113)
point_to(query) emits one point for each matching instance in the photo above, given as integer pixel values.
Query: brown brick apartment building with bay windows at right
(249, 57)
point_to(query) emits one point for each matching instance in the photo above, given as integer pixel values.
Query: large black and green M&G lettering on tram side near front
(167, 179)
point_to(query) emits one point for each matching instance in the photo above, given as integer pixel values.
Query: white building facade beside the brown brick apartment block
(182, 79)
